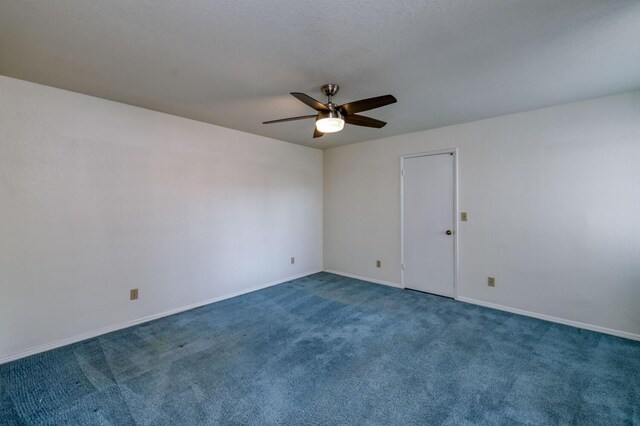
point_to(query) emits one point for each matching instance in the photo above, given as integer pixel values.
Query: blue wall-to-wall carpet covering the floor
(331, 350)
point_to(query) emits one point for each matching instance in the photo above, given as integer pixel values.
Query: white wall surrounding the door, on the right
(553, 197)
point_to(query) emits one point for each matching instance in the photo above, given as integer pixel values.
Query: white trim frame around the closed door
(454, 152)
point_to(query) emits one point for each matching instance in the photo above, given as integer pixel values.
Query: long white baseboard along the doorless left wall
(131, 323)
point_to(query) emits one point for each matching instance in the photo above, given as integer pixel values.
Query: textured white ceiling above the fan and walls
(233, 63)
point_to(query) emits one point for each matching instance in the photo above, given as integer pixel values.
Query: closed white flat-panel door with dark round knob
(429, 215)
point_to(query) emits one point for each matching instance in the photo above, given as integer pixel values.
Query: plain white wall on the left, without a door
(98, 197)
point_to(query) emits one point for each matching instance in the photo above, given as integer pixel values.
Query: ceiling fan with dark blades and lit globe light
(331, 117)
